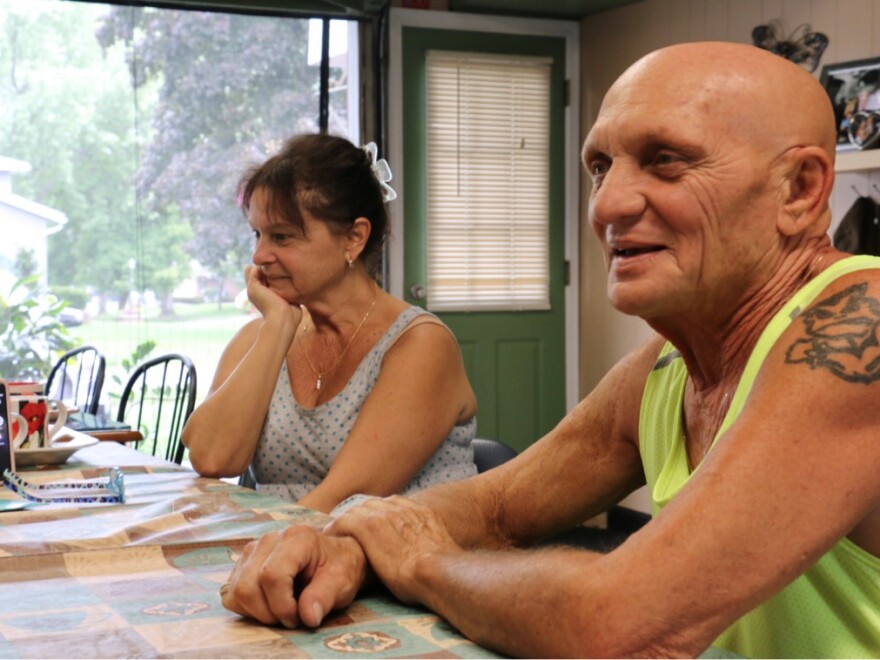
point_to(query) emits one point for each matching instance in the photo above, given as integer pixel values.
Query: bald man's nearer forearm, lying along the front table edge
(541, 603)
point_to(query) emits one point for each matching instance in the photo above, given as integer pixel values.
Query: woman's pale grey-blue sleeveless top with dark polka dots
(297, 445)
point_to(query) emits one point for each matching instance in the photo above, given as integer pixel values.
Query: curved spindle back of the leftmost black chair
(77, 378)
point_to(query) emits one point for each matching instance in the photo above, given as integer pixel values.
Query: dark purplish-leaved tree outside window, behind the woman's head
(230, 89)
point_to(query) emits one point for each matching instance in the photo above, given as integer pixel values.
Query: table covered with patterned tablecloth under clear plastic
(141, 579)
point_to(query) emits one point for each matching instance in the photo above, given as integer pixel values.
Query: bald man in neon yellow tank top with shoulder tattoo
(752, 416)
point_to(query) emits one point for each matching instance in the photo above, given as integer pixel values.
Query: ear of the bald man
(808, 183)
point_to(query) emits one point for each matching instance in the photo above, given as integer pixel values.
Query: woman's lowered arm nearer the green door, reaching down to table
(421, 393)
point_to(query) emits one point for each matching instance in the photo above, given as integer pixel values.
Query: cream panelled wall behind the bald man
(612, 40)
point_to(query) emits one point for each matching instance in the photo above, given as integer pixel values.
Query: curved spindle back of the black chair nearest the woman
(157, 400)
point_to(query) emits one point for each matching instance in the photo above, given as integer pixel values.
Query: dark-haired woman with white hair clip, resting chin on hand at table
(339, 388)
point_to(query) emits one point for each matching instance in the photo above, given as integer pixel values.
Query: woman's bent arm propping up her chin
(222, 433)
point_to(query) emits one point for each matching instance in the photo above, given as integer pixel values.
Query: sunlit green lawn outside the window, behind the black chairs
(200, 331)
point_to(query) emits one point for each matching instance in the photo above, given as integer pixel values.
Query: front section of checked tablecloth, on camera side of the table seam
(149, 601)
